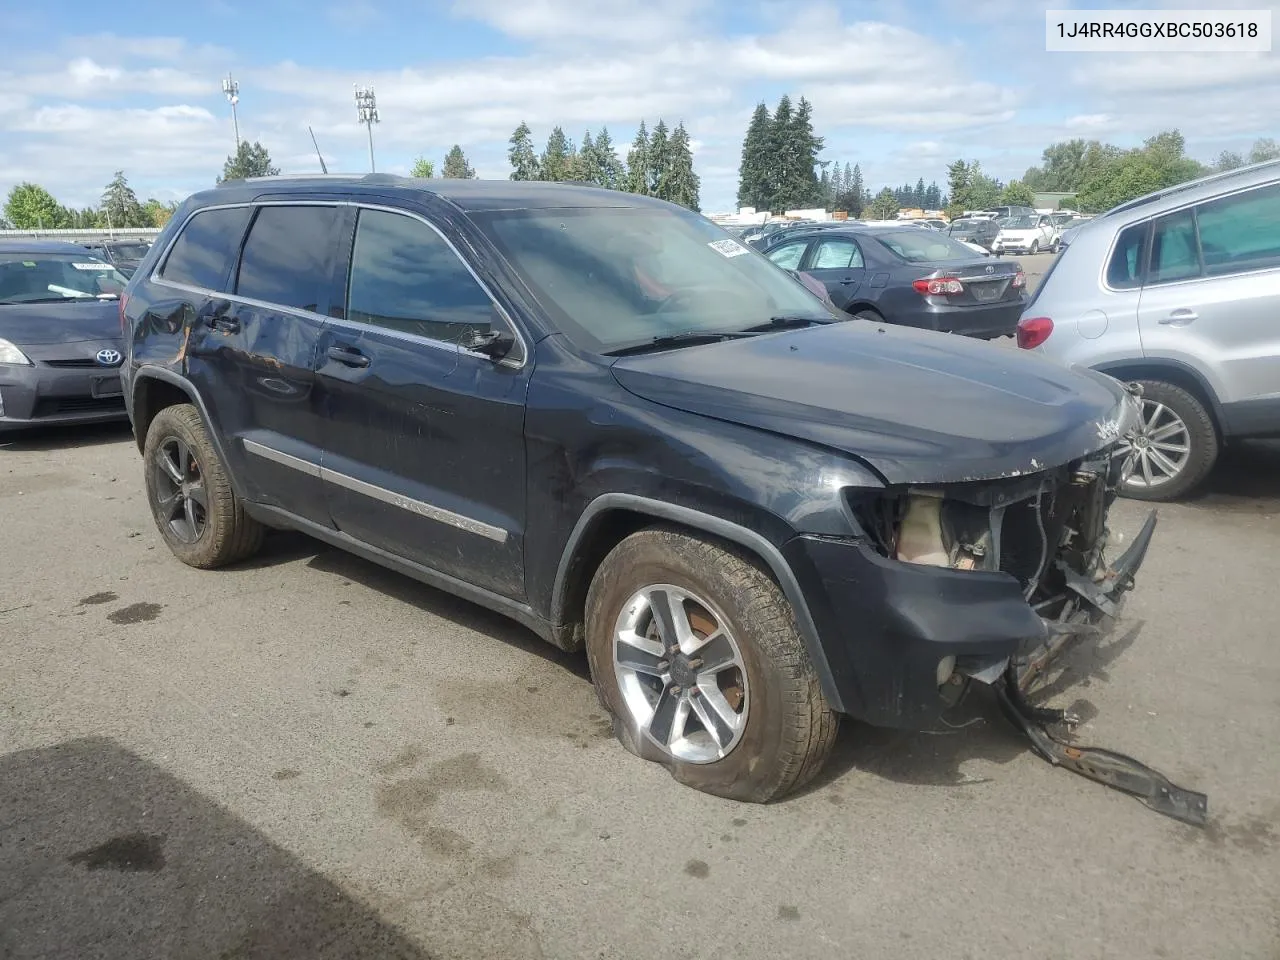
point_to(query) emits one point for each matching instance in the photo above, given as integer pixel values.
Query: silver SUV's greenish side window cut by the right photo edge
(1242, 232)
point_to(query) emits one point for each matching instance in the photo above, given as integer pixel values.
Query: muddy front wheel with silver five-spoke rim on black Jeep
(696, 653)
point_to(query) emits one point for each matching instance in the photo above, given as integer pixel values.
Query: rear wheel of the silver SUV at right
(1177, 429)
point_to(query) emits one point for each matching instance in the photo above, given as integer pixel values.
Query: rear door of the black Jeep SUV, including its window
(253, 354)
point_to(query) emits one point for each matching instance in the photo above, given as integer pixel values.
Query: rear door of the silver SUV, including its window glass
(1213, 299)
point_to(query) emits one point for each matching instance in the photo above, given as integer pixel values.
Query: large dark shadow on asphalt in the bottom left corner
(108, 856)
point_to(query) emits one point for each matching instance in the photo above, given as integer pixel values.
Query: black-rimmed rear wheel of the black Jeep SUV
(193, 504)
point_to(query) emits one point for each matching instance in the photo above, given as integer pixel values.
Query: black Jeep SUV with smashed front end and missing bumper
(604, 417)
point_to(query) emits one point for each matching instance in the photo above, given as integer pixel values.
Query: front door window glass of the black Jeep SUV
(406, 278)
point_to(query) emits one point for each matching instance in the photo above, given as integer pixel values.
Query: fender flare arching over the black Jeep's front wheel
(717, 527)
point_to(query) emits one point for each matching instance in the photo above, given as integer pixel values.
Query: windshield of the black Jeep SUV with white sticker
(619, 277)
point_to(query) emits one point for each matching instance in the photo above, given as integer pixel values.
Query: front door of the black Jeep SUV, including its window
(424, 445)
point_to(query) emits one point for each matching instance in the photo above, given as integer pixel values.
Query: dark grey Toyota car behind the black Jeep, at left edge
(61, 342)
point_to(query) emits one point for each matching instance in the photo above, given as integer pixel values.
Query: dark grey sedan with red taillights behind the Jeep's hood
(911, 277)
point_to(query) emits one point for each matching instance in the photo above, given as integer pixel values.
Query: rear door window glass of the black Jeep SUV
(286, 255)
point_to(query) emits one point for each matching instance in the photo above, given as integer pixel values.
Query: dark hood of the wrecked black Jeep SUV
(920, 408)
